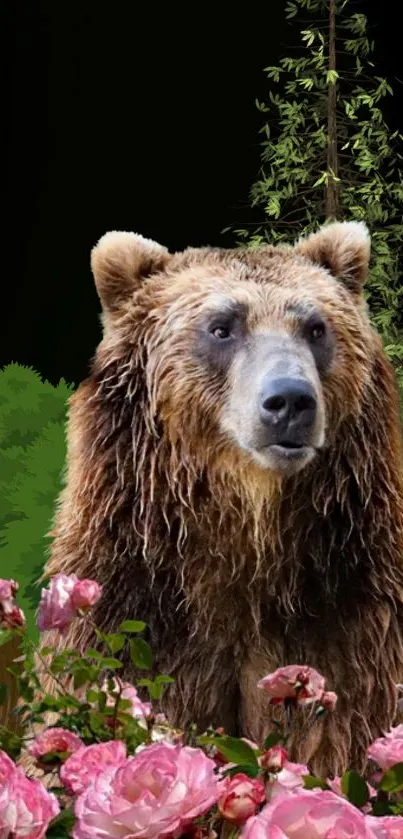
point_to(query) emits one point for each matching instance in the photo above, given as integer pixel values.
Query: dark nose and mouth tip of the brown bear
(288, 406)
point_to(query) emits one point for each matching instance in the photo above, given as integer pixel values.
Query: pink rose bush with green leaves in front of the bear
(112, 765)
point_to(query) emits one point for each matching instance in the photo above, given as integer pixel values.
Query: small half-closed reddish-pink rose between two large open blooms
(240, 797)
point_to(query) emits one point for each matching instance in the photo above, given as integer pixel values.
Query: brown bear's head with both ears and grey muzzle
(252, 358)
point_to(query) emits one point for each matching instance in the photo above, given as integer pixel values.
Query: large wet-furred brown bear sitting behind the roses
(235, 480)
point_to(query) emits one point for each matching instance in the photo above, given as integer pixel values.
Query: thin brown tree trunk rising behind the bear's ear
(331, 193)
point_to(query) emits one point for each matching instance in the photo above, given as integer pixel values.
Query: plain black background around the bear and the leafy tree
(136, 117)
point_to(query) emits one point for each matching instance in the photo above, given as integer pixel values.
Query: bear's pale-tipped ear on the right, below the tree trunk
(343, 248)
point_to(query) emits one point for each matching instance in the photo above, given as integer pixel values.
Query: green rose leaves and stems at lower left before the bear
(97, 716)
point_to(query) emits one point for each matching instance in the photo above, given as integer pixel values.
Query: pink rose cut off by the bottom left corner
(26, 808)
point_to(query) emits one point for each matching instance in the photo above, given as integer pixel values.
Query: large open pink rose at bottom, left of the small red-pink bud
(157, 793)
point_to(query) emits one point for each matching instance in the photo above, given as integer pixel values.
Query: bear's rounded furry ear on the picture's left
(120, 261)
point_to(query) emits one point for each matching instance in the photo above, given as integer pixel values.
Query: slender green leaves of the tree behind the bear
(294, 177)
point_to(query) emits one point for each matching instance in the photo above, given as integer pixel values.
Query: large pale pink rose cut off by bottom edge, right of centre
(316, 814)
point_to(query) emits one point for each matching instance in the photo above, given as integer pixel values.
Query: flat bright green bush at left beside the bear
(32, 455)
